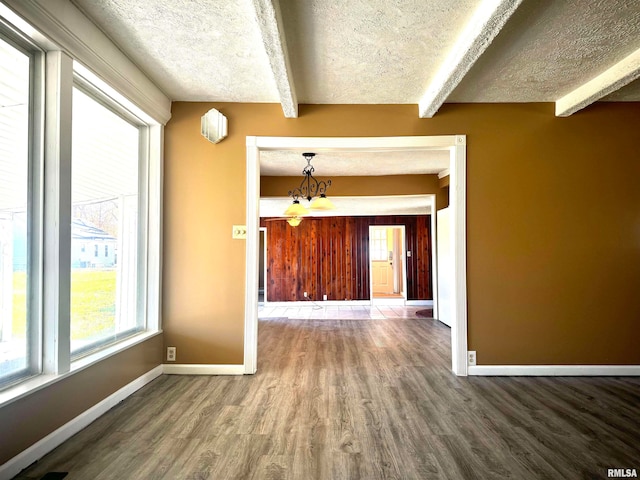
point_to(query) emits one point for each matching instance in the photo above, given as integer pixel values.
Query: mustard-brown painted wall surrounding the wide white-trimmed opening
(553, 225)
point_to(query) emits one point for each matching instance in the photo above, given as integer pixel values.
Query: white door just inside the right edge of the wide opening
(445, 266)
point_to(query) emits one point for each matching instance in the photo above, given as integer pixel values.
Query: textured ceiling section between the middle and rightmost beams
(550, 47)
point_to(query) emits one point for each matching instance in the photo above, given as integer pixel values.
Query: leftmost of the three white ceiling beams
(272, 32)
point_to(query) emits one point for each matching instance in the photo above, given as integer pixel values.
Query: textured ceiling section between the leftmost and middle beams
(367, 51)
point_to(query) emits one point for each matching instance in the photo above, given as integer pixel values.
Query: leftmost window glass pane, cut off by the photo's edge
(14, 196)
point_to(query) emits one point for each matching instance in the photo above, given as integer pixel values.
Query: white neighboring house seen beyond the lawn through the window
(91, 247)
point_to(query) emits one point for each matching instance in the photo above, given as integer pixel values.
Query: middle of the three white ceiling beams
(485, 24)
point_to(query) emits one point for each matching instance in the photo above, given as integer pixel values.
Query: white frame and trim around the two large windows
(135, 93)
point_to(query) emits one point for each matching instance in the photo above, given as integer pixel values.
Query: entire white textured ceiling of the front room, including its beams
(378, 51)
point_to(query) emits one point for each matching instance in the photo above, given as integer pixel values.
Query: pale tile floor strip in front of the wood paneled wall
(344, 312)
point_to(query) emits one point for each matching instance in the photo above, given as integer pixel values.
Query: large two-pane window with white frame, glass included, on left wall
(80, 211)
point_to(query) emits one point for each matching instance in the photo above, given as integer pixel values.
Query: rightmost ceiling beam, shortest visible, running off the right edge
(622, 73)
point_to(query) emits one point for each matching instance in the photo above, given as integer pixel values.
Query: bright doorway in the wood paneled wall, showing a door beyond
(387, 264)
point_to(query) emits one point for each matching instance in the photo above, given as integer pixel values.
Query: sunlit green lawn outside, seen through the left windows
(93, 300)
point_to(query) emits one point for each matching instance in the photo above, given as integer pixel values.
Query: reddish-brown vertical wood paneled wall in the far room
(330, 256)
